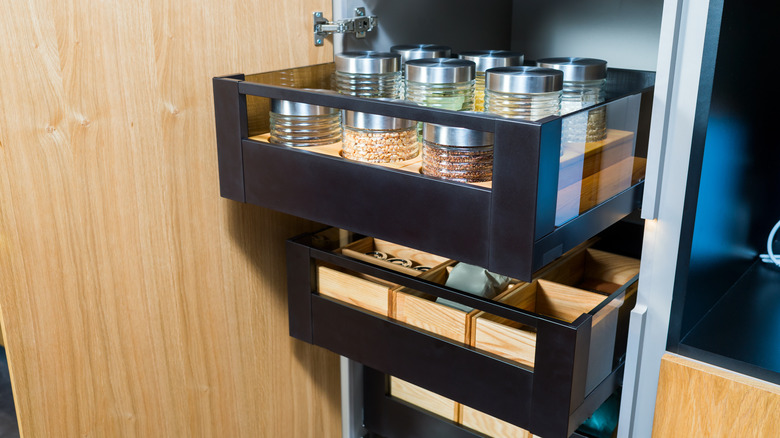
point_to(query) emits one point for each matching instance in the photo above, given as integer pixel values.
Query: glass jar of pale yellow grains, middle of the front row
(378, 139)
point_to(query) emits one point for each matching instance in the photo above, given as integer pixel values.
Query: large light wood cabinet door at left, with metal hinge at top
(135, 301)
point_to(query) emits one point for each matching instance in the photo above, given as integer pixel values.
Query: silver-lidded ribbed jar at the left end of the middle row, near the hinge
(368, 74)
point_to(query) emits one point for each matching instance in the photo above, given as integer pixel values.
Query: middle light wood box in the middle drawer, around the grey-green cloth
(422, 311)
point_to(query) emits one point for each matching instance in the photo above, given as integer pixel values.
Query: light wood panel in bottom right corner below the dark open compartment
(699, 400)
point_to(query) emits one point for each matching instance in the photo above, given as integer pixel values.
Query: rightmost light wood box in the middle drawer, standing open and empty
(559, 291)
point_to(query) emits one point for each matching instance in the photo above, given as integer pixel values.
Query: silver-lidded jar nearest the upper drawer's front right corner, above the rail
(523, 92)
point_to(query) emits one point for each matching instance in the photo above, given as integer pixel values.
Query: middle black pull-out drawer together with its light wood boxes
(542, 356)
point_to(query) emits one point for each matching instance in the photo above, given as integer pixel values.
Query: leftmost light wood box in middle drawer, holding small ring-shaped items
(364, 291)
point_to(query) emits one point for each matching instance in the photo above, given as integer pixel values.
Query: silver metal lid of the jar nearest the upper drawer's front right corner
(523, 79)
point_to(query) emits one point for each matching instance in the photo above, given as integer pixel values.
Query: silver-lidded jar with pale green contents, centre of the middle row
(441, 83)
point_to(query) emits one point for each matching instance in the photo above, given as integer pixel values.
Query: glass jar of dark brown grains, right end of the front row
(457, 154)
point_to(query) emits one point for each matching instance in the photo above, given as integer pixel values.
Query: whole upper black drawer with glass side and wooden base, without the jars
(548, 193)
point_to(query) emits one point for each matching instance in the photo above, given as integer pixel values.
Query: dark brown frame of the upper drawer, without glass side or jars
(509, 229)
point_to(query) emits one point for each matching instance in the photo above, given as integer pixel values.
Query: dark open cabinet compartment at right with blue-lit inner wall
(726, 307)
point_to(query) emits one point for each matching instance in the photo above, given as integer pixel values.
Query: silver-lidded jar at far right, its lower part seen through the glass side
(584, 80)
